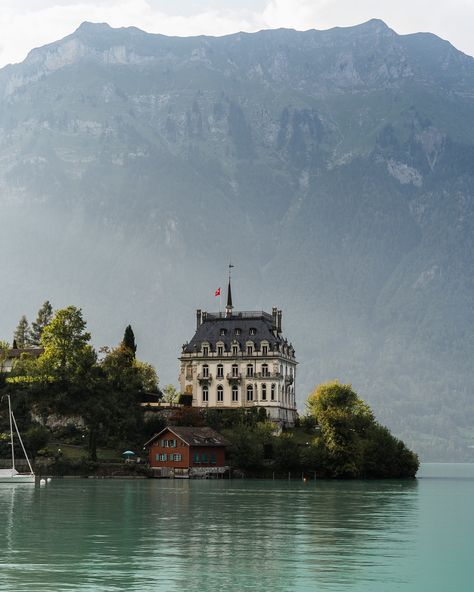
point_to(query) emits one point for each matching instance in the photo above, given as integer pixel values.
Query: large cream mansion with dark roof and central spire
(240, 359)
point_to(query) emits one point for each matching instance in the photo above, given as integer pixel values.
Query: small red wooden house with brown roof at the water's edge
(187, 452)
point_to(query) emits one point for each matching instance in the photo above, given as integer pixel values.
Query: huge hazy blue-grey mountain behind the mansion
(335, 168)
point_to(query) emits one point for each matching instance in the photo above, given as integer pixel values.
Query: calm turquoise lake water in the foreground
(87, 534)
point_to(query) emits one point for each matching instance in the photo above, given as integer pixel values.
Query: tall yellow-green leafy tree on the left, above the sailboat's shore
(67, 354)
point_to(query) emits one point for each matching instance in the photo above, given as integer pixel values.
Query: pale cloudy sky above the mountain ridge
(25, 24)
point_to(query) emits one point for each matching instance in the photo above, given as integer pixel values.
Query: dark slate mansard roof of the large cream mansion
(255, 326)
